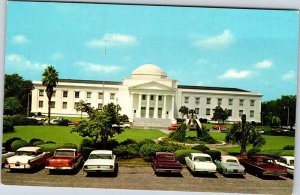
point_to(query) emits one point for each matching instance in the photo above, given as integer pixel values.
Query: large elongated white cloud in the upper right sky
(218, 41)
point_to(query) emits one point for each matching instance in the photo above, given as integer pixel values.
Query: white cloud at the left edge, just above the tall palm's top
(20, 62)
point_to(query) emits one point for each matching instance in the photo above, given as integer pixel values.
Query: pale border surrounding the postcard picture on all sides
(260, 4)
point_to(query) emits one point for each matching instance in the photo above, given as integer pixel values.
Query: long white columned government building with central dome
(148, 97)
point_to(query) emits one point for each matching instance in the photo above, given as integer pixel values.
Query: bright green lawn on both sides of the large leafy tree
(61, 134)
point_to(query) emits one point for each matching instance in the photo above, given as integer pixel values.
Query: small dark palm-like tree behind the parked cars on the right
(244, 134)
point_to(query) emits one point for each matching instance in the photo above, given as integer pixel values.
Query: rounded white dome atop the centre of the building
(149, 70)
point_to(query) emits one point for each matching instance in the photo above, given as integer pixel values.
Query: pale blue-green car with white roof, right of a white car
(229, 165)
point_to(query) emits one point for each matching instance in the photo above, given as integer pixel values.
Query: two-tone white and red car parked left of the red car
(27, 158)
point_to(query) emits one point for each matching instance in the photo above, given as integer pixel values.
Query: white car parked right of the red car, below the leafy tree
(101, 161)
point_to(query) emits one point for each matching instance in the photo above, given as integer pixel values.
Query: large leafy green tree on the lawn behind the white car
(100, 126)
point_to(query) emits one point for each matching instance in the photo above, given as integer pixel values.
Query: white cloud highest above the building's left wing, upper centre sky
(112, 40)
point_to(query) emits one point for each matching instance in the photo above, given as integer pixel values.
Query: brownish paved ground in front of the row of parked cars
(143, 178)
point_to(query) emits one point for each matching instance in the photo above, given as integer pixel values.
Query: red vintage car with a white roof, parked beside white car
(64, 159)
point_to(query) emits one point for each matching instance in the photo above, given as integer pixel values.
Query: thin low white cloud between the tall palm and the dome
(90, 67)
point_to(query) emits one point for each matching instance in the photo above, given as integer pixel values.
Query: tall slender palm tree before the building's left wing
(49, 79)
